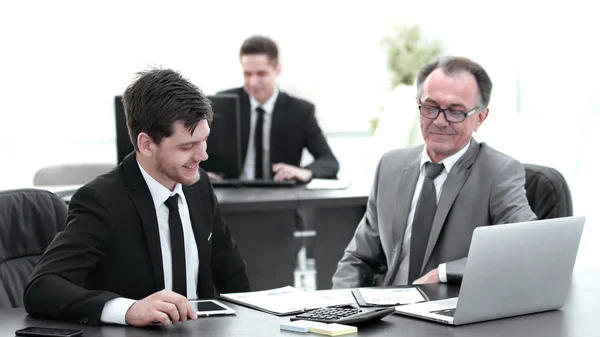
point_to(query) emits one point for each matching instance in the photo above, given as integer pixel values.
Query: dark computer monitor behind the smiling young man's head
(223, 145)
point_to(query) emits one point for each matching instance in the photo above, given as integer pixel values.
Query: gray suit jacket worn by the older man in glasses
(485, 187)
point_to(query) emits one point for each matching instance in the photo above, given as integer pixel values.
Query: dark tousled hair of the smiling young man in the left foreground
(160, 97)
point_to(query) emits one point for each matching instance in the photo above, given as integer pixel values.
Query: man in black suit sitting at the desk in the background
(275, 126)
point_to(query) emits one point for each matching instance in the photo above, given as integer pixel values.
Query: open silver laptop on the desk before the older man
(512, 269)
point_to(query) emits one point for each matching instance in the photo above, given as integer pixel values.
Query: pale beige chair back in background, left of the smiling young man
(69, 174)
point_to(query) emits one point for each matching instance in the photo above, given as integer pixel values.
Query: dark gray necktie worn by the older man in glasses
(422, 221)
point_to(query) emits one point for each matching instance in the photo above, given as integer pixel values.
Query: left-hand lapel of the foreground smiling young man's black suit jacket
(142, 200)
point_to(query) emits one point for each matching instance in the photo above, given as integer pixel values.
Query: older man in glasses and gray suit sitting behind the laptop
(427, 200)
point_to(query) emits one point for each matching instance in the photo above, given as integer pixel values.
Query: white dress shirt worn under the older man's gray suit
(438, 182)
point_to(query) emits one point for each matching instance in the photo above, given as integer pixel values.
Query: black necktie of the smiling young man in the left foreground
(177, 246)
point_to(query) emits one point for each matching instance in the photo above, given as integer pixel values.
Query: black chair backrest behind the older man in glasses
(547, 192)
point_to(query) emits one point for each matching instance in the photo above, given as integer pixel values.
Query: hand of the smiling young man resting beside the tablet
(164, 307)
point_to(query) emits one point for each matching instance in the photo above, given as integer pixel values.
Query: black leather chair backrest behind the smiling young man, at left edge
(29, 220)
